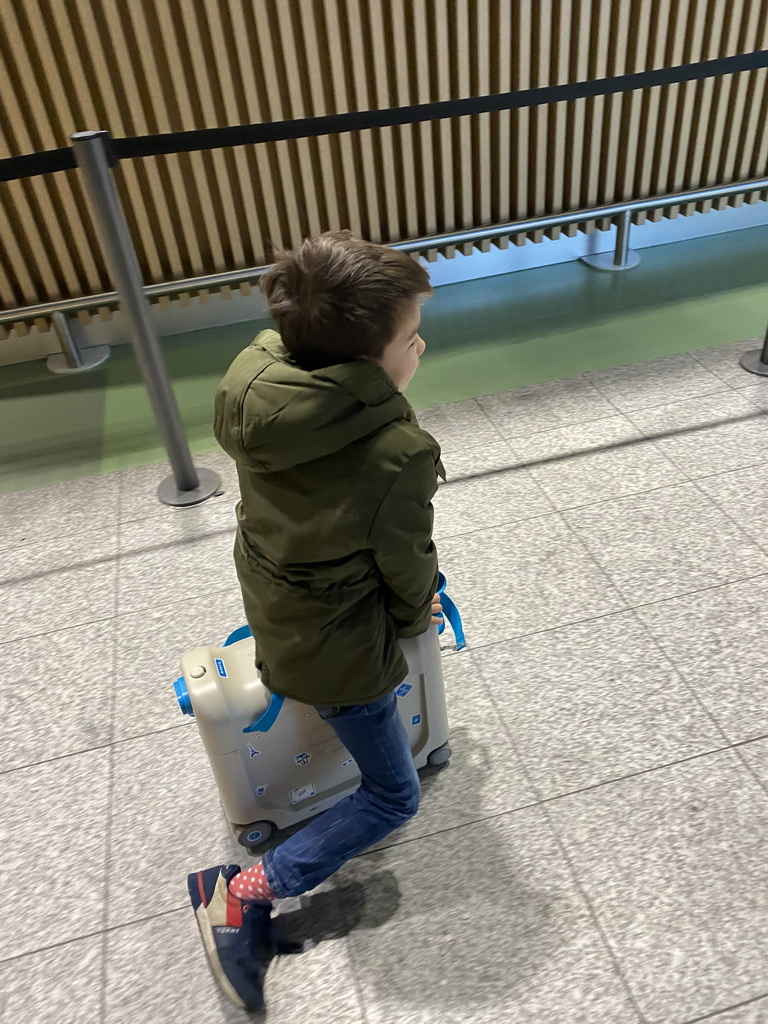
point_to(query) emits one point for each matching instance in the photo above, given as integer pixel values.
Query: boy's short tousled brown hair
(338, 298)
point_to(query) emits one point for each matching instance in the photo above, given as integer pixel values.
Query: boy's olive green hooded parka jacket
(334, 548)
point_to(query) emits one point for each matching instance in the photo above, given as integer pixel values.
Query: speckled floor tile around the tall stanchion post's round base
(139, 487)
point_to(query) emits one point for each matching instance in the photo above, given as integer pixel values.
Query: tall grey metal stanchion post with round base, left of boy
(187, 486)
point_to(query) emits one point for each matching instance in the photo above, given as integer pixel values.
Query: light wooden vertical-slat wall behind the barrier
(151, 66)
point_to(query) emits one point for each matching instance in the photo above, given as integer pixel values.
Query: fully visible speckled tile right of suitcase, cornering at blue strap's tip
(591, 703)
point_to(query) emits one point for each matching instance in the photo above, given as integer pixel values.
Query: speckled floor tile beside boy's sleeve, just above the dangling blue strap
(524, 578)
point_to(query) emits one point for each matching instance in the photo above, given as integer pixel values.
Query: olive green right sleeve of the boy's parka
(402, 542)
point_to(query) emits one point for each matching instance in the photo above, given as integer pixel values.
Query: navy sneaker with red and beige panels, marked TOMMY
(239, 936)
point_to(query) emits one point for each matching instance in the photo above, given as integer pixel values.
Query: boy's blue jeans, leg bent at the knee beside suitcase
(388, 797)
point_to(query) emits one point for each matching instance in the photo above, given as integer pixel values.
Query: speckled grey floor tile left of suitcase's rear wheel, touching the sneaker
(166, 822)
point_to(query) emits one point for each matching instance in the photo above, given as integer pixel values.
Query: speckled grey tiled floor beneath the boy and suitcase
(595, 854)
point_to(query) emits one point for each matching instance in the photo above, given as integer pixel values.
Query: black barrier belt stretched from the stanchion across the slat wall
(214, 139)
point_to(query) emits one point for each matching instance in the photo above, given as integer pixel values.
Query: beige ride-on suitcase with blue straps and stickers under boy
(276, 761)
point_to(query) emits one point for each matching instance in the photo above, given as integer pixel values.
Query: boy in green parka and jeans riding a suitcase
(334, 554)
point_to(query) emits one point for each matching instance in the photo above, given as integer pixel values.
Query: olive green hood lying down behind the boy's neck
(272, 415)
